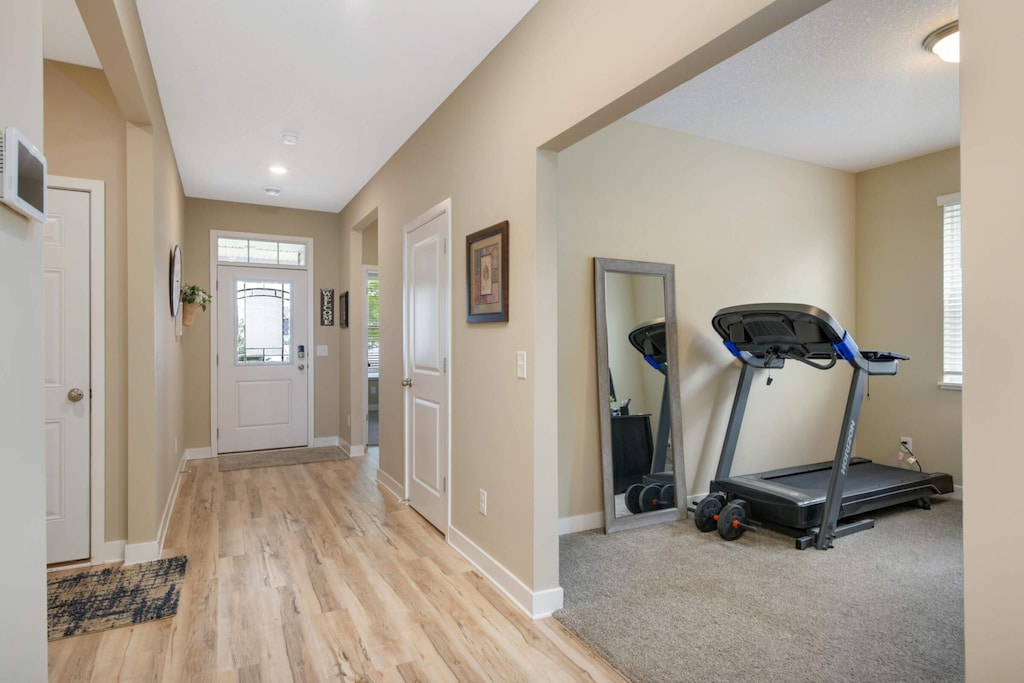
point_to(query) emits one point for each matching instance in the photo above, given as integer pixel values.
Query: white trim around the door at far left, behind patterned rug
(98, 361)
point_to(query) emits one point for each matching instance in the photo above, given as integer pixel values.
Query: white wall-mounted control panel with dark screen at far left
(23, 176)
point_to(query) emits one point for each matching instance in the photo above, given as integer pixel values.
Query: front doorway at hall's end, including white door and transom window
(263, 373)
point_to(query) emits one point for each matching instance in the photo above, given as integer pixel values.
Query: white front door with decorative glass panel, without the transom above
(263, 359)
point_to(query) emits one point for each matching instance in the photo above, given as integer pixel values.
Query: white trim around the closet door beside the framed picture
(445, 208)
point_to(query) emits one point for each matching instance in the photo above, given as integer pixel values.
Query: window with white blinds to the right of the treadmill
(953, 301)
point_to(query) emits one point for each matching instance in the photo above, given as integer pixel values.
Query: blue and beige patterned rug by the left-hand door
(114, 597)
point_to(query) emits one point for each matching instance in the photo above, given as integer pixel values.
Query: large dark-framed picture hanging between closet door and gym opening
(488, 275)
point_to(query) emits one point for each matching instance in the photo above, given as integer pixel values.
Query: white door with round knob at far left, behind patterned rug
(66, 276)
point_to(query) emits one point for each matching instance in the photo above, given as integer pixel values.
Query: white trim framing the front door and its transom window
(311, 347)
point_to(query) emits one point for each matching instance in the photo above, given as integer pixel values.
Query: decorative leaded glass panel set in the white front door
(264, 322)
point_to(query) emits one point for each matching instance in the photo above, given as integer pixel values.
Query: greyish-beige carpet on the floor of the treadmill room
(669, 604)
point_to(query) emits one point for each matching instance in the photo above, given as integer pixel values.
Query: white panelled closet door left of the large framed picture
(426, 367)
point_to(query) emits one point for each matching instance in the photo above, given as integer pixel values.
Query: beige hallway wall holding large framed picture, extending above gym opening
(567, 70)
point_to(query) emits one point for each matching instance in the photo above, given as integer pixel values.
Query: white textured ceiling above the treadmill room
(848, 87)
